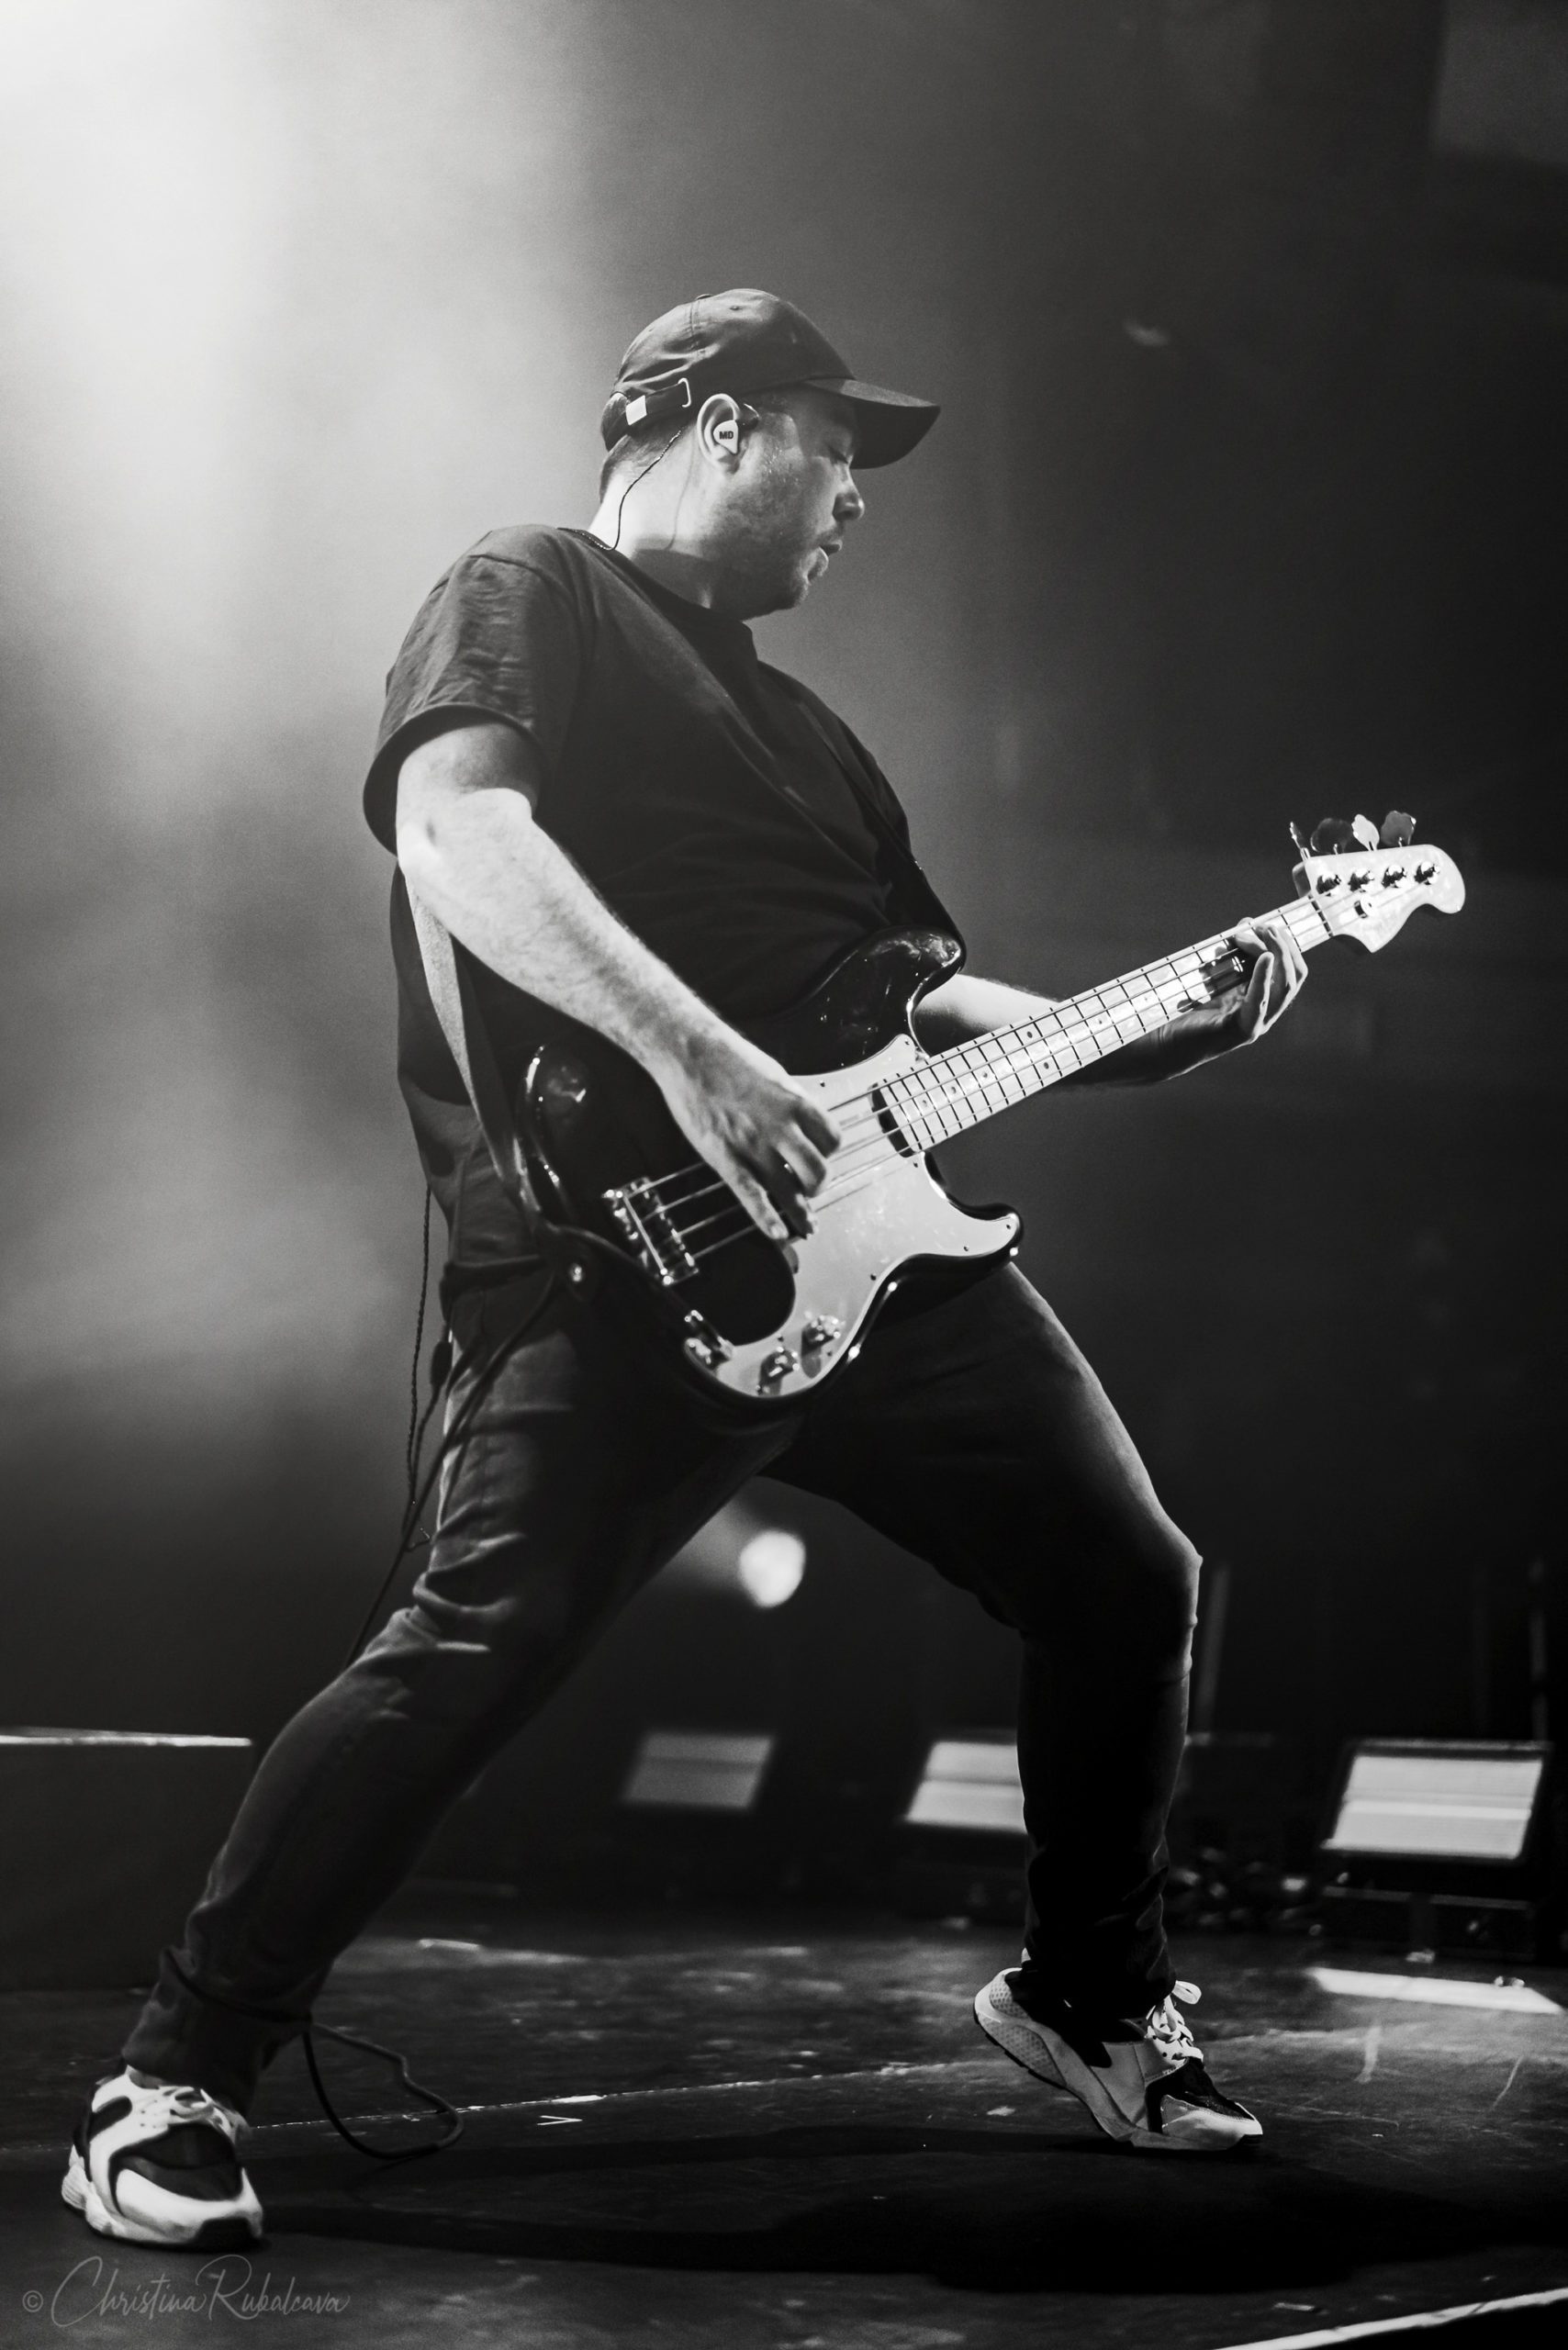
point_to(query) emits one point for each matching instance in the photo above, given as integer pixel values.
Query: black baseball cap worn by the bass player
(749, 342)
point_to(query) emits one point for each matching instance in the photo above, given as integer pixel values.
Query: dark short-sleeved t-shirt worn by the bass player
(718, 807)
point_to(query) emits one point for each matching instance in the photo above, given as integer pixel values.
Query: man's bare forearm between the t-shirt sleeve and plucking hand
(518, 901)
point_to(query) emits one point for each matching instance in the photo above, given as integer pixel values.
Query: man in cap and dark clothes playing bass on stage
(638, 828)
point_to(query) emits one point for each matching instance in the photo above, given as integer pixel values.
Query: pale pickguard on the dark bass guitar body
(859, 1244)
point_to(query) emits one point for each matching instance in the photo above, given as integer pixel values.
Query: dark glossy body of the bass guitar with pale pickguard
(749, 1317)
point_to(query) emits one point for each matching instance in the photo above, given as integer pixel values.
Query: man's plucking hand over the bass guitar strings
(756, 1127)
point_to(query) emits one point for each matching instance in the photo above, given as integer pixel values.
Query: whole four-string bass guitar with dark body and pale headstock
(770, 1322)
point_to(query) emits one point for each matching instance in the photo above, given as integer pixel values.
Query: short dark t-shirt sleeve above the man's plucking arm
(497, 638)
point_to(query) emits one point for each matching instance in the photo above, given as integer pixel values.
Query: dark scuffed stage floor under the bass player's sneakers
(784, 2130)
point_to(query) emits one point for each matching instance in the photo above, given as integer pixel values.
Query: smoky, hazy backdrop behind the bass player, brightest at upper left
(1247, 504)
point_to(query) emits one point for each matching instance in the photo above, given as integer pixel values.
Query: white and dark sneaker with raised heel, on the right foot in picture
(1144, 2081)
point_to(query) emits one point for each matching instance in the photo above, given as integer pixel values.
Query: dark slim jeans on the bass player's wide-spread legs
(972, 1432)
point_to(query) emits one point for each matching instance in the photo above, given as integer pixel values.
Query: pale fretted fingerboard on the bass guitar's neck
(972, 1082)
